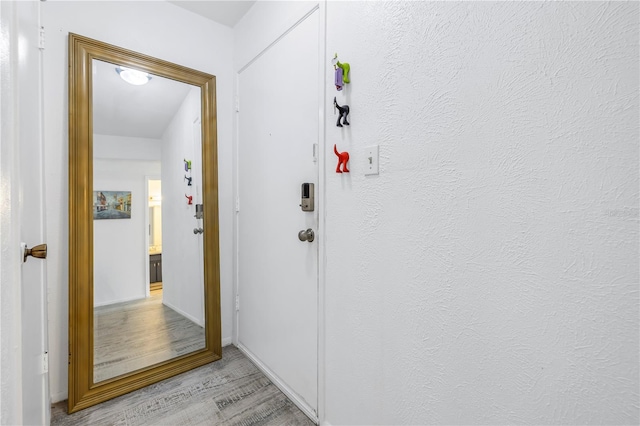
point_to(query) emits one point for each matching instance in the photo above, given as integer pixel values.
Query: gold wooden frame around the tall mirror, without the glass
(83, 392)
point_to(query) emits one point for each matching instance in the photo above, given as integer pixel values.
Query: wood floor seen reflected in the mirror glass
(132, 335)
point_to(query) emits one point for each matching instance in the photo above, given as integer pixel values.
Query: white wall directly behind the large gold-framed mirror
(194, 42)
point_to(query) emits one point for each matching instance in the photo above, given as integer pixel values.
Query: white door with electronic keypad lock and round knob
(278, 273)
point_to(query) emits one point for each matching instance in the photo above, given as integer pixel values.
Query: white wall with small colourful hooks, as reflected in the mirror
(182, 265)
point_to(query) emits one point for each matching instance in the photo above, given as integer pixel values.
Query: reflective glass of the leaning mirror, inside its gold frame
(147, 238)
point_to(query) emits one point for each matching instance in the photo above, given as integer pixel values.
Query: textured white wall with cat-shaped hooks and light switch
(489, 274)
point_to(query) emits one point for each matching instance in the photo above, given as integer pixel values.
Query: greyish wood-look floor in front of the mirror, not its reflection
(231, 391)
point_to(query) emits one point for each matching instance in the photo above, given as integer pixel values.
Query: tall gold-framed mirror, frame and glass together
(144, 293)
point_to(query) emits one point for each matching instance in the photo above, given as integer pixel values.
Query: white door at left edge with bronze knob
(23, 212)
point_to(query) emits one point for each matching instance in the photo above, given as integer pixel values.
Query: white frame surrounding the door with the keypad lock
(323, 62)
